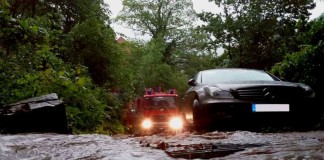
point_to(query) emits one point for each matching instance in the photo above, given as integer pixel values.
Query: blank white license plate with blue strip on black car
(270, 107)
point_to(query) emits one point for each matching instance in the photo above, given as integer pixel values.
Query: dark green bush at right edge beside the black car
(306, 65)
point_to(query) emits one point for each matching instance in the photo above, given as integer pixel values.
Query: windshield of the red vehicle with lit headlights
(158, 102)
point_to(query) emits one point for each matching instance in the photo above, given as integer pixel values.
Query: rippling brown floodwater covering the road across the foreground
(245, 145)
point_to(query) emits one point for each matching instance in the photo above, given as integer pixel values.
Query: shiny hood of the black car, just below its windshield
(247, 84)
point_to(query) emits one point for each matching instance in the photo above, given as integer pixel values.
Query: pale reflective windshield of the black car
(236, 75)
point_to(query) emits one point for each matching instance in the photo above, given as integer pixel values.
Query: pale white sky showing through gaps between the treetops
(115, 7)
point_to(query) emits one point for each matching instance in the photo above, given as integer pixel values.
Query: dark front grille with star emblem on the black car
(269, 93)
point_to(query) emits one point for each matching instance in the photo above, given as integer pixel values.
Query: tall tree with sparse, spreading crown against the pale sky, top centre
(167, 20)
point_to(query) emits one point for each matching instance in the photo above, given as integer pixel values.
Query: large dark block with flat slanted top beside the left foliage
(39, 114)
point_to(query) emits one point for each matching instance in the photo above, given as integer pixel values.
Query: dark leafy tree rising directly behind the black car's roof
(256, 34)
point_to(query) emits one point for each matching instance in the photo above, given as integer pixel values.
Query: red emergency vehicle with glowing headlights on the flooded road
(155, 112)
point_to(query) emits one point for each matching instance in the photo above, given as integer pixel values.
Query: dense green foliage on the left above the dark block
(31, 64)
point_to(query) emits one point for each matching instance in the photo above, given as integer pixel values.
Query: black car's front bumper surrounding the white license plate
(238, 109)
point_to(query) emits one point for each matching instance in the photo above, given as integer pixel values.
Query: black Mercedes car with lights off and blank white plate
(243, 94)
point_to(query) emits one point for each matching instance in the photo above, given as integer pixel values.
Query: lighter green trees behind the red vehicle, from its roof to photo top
(163, 61)
